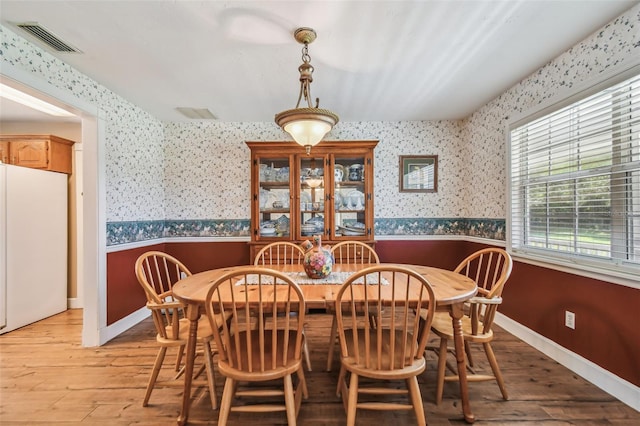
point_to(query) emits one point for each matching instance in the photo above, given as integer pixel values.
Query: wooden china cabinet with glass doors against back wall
(295, 196)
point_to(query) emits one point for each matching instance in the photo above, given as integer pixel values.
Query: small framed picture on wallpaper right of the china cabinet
(418, 173)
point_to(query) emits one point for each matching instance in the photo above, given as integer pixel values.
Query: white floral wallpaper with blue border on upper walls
(192, 179)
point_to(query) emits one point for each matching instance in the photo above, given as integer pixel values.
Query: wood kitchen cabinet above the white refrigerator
(46, 152)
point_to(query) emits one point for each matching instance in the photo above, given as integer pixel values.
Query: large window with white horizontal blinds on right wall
(575, 179)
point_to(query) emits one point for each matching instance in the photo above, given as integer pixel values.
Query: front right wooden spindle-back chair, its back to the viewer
(390, 351)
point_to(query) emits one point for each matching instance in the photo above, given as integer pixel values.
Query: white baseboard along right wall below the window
(625, 391)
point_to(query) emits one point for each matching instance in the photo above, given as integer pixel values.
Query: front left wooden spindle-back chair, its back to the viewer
(268, 350)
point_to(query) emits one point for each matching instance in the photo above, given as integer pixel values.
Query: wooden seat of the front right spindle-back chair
(406, 364)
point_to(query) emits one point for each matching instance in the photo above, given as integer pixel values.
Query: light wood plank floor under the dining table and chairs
(46, 377)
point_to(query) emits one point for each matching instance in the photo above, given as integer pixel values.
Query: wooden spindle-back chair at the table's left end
(157, 272)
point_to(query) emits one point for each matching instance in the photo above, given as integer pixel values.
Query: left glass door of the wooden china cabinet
(274, 197)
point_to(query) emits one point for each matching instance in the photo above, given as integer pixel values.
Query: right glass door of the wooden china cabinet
(350, 197)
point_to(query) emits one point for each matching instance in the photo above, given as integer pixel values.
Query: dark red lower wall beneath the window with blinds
(607, 315)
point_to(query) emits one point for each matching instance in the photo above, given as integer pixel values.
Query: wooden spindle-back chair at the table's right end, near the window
(490, 268)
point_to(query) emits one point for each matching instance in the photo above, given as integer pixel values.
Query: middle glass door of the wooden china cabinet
(312, 196)
